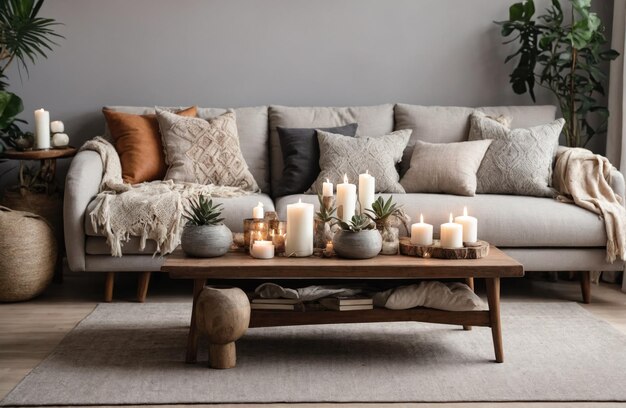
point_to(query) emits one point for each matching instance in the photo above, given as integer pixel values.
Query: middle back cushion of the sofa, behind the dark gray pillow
(372, 121)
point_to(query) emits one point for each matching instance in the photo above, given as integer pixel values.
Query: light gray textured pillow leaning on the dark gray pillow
(341, 155)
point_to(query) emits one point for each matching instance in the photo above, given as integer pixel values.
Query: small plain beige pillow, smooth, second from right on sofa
(445, 167)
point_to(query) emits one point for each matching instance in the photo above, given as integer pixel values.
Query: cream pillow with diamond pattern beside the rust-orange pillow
(204, 151)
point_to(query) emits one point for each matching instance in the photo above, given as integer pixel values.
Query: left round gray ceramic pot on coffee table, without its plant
(206, 241)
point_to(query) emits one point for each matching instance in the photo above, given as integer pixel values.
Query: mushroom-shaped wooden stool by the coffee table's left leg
(223, 313)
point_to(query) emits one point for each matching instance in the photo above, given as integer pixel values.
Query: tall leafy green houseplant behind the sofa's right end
(562, 52)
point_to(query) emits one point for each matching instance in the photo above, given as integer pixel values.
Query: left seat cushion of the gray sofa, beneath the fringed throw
(235, 209)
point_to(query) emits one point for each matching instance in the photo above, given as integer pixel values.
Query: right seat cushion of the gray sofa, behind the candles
(503, 220)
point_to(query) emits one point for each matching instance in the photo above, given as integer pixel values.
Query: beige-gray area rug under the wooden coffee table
(133, 354)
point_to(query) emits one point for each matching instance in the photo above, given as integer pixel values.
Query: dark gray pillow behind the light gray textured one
(301, 156)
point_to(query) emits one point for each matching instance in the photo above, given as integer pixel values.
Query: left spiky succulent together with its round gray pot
(204, 235)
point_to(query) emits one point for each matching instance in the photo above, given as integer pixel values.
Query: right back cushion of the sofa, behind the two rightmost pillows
(448, 124)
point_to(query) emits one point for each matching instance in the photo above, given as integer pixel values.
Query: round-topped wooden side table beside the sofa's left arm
(40, 204)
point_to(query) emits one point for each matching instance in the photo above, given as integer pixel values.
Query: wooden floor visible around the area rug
(31, 330)
